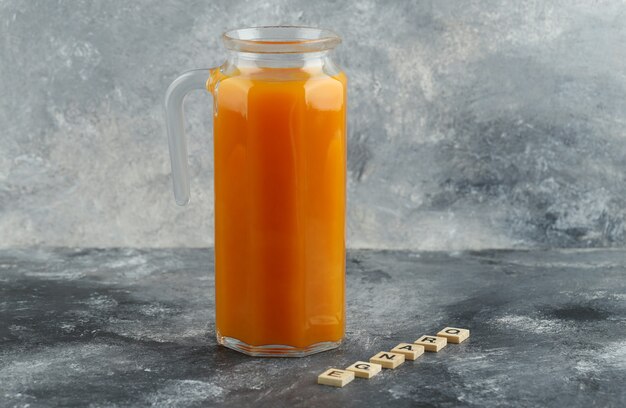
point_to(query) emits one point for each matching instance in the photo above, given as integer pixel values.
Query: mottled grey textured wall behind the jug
(472, 123)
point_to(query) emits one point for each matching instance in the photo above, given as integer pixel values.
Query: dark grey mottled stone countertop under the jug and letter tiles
(135, 327)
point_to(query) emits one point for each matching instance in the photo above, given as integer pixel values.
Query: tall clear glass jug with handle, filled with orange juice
(280, 188)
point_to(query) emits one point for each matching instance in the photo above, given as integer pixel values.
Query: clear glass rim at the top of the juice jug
(281, 39)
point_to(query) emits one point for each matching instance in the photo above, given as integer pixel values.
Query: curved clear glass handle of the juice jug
(174, 97)
